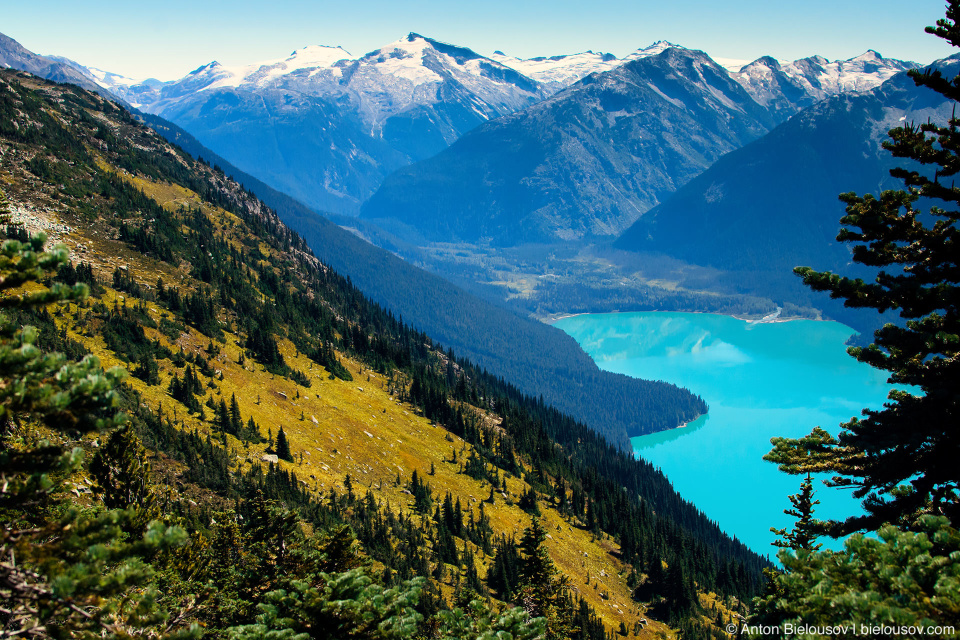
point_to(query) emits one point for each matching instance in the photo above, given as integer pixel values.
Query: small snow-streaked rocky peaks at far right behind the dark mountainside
(787, 87)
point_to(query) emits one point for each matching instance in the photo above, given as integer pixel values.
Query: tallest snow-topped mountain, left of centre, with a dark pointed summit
(326, 126)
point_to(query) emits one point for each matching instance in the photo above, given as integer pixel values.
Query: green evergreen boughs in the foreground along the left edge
(64, 572)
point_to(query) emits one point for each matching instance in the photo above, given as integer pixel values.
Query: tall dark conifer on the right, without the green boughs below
(902, 459)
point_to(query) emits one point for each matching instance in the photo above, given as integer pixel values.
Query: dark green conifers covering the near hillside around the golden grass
(260, 278)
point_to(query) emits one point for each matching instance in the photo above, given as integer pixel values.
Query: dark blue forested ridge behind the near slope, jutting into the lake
(538, 359)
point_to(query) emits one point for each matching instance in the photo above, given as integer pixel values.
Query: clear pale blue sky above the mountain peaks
(170, 38)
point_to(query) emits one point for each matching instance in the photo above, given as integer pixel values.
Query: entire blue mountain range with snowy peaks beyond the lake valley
(567, 149)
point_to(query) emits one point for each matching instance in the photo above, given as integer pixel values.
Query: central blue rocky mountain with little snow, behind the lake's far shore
(585, 163)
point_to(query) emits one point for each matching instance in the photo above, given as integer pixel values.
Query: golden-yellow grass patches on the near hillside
(335, 428)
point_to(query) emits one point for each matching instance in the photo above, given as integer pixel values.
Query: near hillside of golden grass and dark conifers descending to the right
(243, 346)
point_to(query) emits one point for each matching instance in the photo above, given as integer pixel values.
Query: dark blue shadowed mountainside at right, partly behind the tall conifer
(773, 205)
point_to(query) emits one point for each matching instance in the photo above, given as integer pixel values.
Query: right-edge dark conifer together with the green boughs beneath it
(901, 459)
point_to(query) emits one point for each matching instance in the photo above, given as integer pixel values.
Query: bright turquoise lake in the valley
(760, 380)
